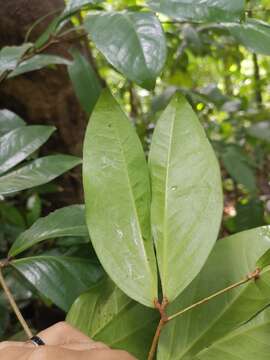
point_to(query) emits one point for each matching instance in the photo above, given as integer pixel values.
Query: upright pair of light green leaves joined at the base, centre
(186, 199)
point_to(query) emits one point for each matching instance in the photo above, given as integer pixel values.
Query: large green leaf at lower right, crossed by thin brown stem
(231, 260)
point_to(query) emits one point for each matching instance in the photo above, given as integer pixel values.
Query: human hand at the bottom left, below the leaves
(63, 342)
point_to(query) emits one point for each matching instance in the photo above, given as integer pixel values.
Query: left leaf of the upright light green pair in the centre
(117, 197)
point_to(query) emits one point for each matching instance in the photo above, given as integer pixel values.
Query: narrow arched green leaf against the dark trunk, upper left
(38, 62)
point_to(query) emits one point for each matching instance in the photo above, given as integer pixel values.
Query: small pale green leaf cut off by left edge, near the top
(10, 55)
